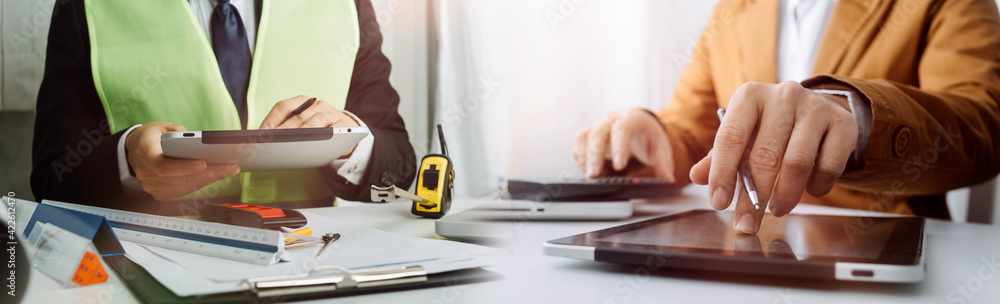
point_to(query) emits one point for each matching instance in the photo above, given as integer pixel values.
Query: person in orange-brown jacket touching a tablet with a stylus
(873, 105)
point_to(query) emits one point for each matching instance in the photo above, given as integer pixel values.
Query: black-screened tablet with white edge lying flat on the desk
(880, 249)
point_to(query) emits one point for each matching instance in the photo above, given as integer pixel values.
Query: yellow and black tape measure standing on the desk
(435, 183)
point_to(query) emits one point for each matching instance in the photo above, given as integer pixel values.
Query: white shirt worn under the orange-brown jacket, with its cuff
(802, 23)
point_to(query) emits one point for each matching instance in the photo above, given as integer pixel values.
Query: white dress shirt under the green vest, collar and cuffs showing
(352, 168)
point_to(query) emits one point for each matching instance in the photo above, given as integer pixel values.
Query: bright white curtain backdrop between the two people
(518, 79)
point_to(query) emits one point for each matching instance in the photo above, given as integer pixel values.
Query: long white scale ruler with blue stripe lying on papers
(244, 244)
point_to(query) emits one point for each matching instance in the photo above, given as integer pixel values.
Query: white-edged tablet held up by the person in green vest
(264, 150)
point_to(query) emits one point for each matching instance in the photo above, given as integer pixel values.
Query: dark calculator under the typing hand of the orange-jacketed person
(591, 189)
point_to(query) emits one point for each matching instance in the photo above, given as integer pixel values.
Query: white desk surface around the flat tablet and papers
(958, 258)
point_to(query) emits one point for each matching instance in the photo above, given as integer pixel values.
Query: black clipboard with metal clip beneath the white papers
(148, 290)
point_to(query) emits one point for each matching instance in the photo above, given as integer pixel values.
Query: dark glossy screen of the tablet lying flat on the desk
(798, 237)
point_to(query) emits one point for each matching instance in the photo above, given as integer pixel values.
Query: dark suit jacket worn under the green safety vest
(74, 155)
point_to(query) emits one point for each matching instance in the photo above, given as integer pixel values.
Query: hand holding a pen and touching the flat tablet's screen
(798, 141)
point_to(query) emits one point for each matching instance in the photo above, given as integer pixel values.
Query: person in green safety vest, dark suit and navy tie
(120, 73)
